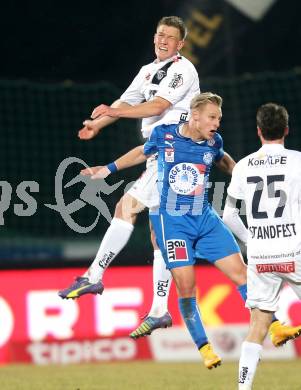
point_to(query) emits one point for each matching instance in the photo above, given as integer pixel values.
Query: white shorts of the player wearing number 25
(264, 287)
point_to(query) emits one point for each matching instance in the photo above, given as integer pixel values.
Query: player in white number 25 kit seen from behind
(269, 182)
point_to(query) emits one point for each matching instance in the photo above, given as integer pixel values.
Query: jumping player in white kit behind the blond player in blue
(160, 93)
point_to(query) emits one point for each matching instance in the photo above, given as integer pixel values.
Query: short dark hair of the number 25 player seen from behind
(272, 119)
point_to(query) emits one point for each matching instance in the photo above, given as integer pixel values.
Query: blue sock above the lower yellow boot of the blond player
(191, 316)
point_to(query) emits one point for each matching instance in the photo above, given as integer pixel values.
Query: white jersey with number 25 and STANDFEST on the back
(269, 181)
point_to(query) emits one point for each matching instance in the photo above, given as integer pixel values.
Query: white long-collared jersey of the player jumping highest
(175, 80)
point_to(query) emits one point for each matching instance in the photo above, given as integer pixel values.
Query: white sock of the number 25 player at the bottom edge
(249, 358)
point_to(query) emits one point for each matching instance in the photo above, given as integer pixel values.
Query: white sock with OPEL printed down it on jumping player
(161, 285)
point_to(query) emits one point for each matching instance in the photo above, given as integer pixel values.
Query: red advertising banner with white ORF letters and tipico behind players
(38, 326)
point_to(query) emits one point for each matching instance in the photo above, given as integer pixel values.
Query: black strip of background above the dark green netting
(100, 40)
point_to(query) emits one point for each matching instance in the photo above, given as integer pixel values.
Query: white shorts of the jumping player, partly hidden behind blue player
(145, 188)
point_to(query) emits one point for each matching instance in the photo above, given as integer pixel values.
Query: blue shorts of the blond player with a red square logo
(183, 238)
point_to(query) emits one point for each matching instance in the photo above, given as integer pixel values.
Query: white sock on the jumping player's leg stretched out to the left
(115, 239)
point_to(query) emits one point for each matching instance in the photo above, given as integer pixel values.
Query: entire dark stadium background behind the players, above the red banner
(61, 59)
